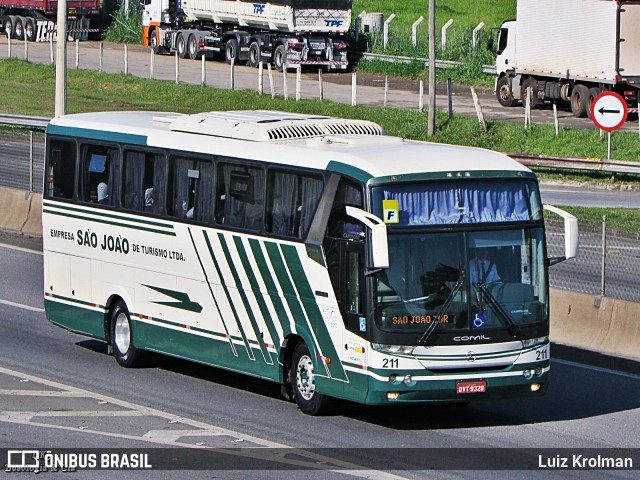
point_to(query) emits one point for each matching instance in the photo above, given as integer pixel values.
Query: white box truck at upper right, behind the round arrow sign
(568, 52)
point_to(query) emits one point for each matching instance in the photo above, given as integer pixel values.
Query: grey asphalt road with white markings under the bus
(586, 406)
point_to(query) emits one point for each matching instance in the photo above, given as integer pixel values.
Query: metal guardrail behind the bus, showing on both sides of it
(548, 161)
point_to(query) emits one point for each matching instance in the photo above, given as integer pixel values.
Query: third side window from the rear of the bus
(143, 181)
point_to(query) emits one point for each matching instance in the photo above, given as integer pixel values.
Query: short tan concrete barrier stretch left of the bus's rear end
(21, 211)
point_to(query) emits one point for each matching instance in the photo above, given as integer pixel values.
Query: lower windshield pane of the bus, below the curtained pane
(463, 280)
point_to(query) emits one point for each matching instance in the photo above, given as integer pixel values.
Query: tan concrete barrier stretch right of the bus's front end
(601, 324)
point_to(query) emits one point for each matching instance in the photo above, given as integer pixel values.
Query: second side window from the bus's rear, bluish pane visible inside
(99, 170)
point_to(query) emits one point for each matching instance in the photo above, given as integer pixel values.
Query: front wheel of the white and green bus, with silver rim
(304, 384)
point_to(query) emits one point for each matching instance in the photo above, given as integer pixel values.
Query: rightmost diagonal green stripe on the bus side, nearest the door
(313, 310)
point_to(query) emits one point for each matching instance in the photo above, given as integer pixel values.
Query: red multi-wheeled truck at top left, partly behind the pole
(35, 20)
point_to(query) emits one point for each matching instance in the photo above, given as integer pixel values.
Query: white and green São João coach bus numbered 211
(312, 251)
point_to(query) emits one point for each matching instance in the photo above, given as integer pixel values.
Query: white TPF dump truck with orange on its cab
(286, 33)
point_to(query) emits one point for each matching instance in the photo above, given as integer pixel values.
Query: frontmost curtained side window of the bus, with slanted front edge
(292, 201)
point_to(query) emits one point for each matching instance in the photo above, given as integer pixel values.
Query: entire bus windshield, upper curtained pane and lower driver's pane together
(454, 260)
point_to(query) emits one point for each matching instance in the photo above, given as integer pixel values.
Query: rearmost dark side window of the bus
(61, 171)
